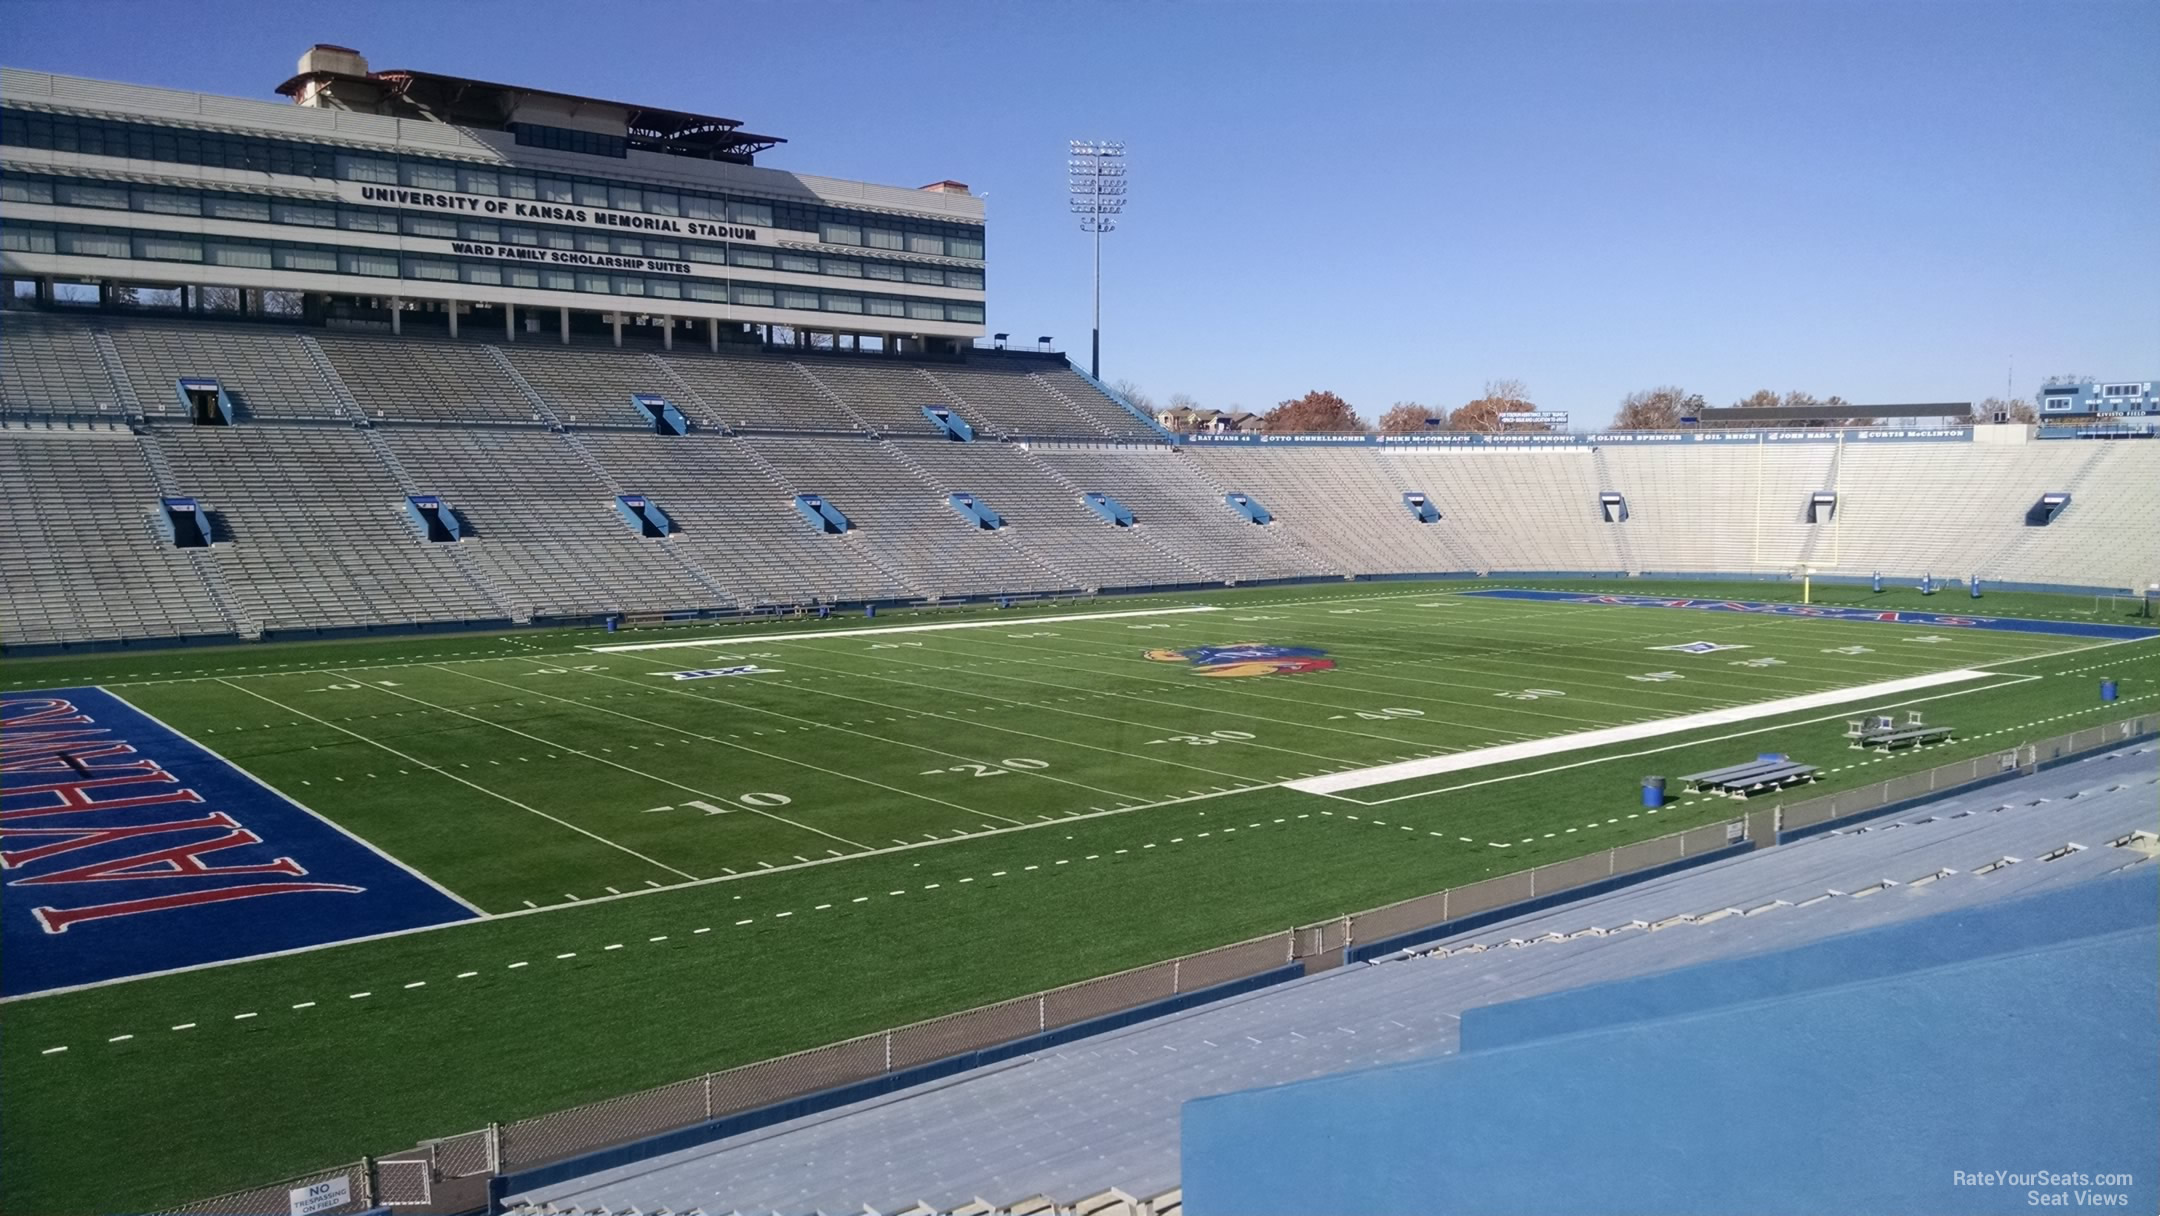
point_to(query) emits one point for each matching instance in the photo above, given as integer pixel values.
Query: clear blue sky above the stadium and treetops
(1403, 202)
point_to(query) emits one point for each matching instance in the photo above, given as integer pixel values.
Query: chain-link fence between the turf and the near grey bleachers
(768, 1083)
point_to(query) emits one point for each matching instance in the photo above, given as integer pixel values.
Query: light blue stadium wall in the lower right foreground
(1761, 1085)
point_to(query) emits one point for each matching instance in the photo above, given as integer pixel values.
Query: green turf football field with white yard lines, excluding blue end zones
(887, 826)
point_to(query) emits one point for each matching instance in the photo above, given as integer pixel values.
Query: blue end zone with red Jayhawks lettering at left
(131, 850)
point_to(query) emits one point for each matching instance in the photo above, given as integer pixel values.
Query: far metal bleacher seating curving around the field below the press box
(532, 442)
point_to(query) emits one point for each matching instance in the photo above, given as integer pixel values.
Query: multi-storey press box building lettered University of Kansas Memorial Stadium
(396, 198)
